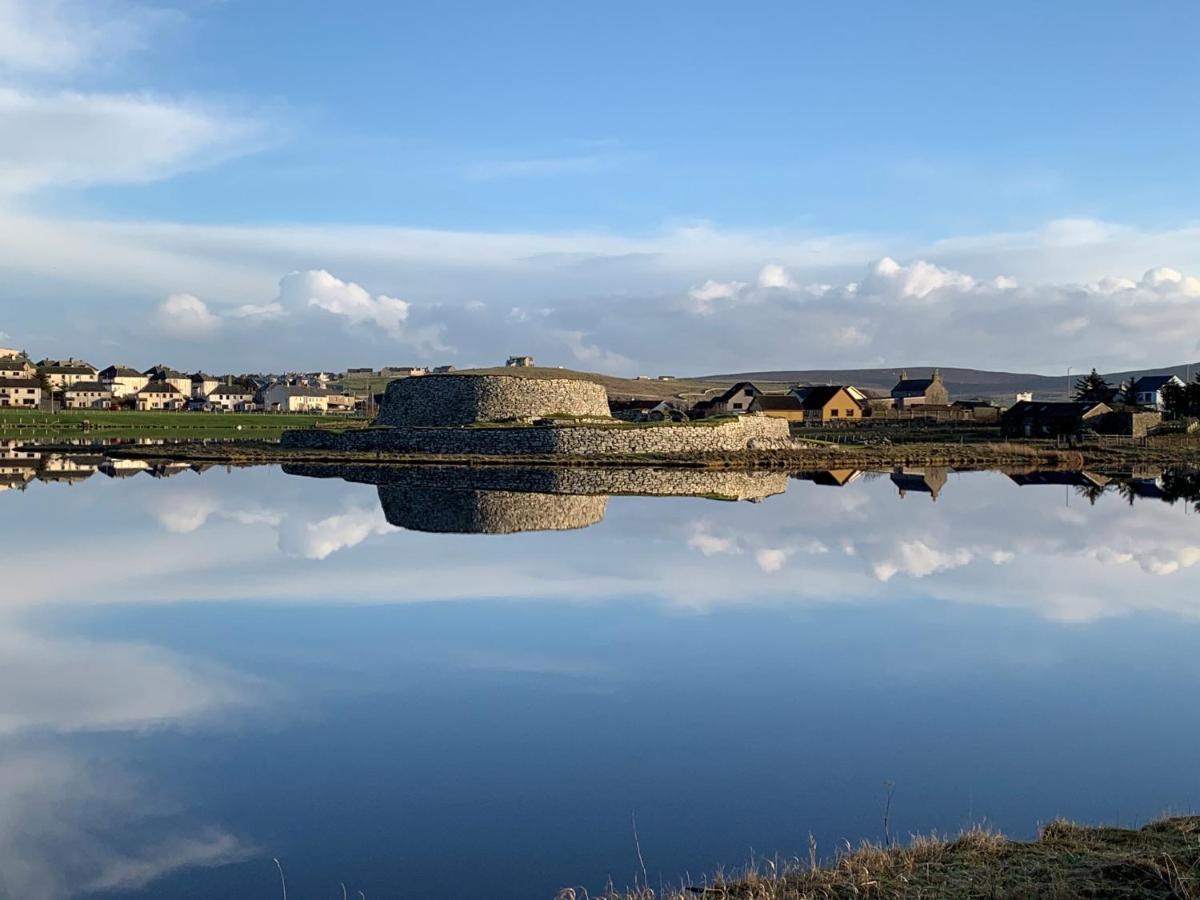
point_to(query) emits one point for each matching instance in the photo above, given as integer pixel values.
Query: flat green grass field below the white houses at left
(105, 424)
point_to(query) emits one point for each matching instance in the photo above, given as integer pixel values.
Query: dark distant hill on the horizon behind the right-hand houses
(963, 383)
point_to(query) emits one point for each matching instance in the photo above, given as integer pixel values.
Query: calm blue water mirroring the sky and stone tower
(206, 671)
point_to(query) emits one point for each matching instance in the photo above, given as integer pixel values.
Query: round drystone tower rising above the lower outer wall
(465, 399)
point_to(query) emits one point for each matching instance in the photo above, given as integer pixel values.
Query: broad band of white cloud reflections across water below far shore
(987, 541)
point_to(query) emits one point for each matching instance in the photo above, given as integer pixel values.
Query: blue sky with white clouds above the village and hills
(679, 188)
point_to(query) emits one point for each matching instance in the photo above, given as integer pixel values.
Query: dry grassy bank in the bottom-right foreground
(1069, 862)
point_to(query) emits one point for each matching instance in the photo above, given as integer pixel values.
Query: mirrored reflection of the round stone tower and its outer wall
(502, 500)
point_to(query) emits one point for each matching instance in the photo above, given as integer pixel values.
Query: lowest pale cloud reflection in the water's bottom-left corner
(67, 825)
